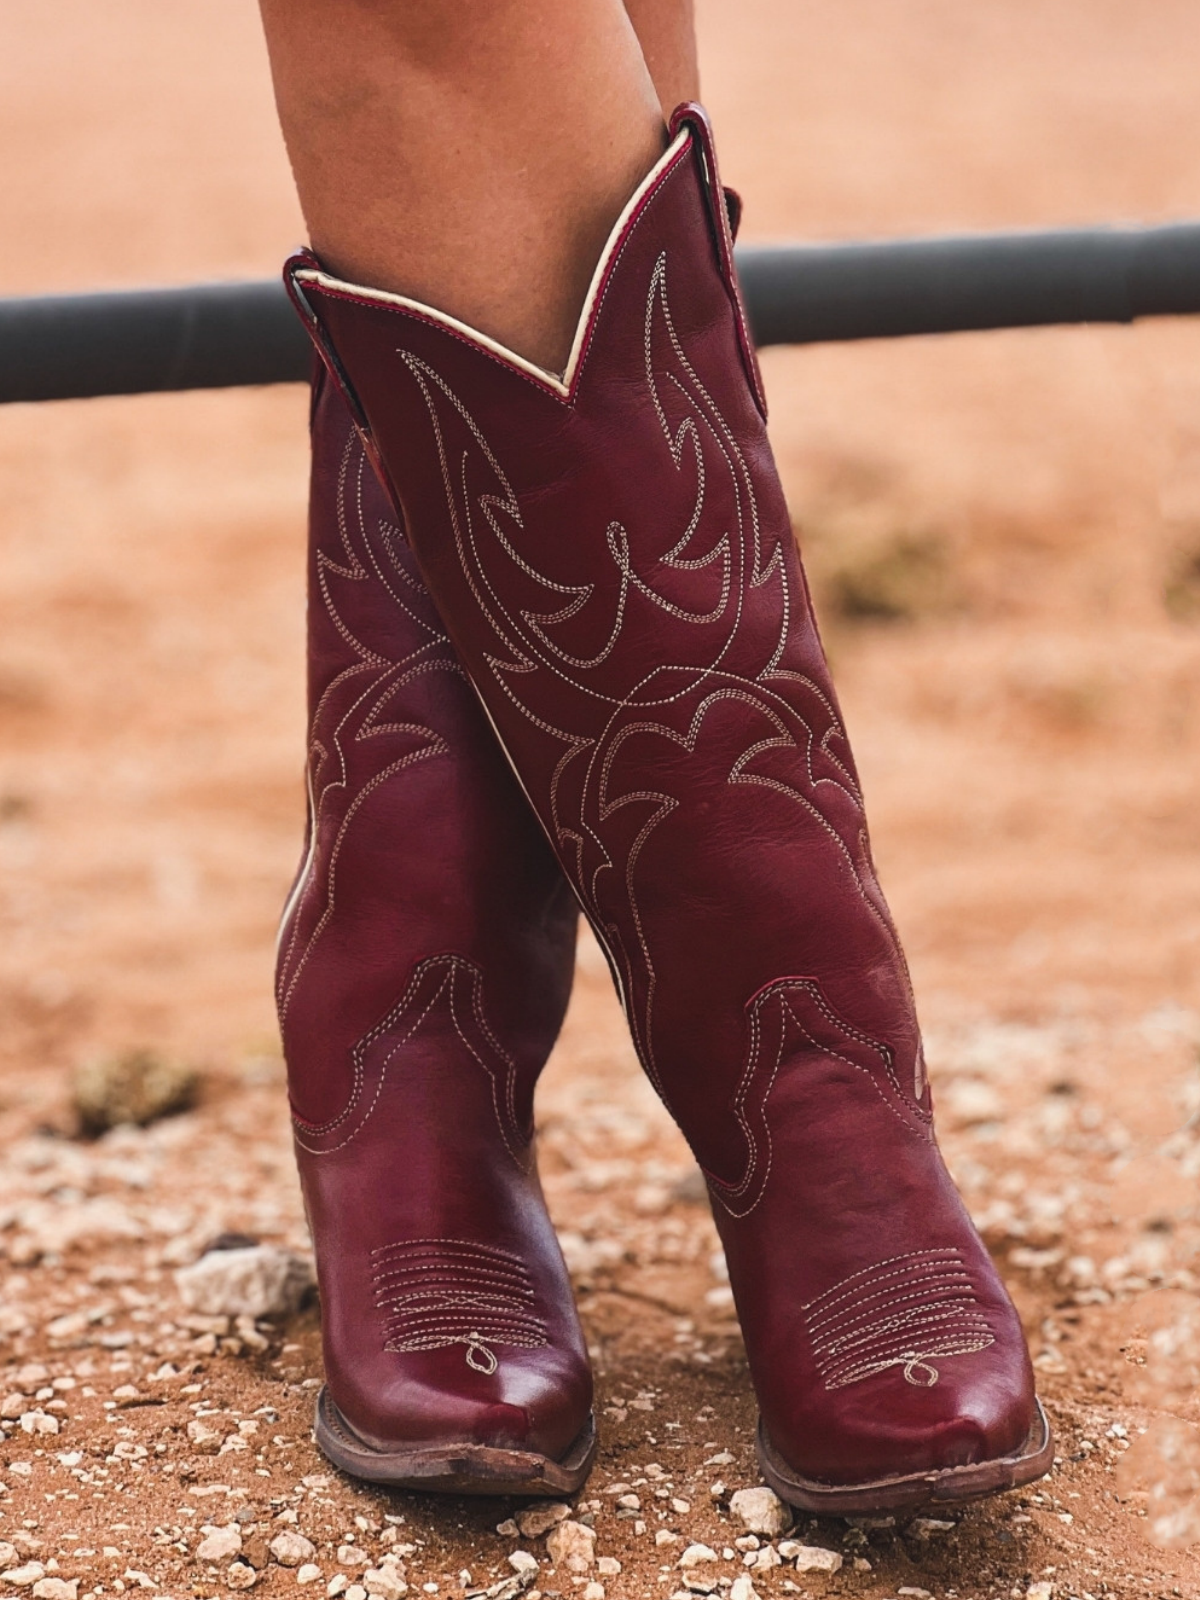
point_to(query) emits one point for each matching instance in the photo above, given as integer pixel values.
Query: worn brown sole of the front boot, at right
(911, 1492)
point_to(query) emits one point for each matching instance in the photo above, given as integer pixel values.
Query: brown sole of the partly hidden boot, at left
(454, 1470)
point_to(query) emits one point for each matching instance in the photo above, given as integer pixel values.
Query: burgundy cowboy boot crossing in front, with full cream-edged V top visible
(615, 564)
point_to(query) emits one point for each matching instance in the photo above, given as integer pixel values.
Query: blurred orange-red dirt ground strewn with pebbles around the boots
(1006, 538)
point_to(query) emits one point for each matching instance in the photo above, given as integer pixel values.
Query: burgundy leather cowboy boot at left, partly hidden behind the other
(425, 964)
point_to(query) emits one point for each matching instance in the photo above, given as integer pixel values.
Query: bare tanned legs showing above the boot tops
(476, 158)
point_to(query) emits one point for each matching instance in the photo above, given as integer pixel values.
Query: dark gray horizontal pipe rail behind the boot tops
(222, 335)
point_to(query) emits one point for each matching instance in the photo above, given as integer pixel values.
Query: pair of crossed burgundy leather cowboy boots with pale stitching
(601, 566)
